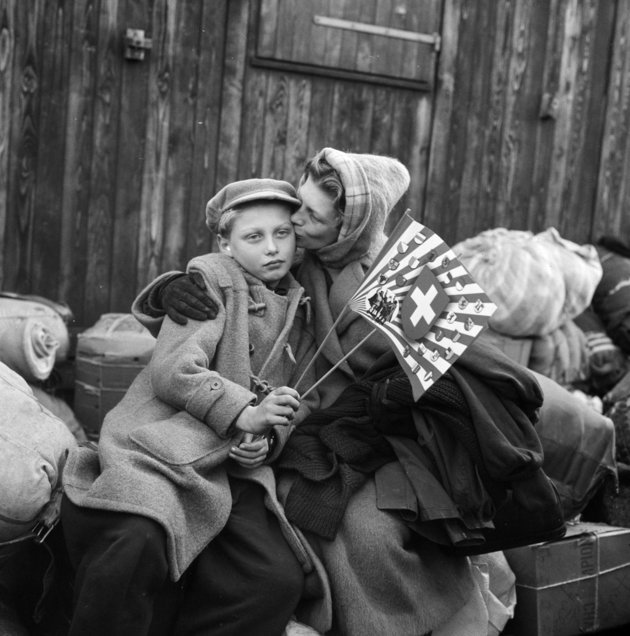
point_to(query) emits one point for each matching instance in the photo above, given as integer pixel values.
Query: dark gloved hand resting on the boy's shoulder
(186, 297)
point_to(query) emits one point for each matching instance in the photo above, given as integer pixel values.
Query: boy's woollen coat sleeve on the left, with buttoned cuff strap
(181, 372)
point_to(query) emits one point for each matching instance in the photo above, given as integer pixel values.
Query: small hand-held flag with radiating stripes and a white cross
(424, 300)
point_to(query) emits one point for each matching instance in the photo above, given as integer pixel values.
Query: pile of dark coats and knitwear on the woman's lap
(467, 452)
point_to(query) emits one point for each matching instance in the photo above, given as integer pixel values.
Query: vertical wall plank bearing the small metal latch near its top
(133, 115)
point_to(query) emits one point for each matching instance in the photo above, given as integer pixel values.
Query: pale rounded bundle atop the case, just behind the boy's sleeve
(117, 336)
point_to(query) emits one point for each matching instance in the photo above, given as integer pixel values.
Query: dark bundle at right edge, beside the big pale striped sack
(611, 300)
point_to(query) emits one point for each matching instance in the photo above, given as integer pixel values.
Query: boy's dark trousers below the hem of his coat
(246, 581)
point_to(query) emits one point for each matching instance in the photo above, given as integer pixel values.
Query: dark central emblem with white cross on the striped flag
(422, 305)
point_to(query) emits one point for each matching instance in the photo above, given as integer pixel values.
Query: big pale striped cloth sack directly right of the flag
(538, 282)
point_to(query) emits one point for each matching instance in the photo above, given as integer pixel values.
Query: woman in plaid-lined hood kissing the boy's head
(384, 579)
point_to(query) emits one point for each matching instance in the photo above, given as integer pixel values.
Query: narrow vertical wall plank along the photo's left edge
(7, 43)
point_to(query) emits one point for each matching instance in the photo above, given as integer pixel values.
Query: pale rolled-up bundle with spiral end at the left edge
(33, 336)
